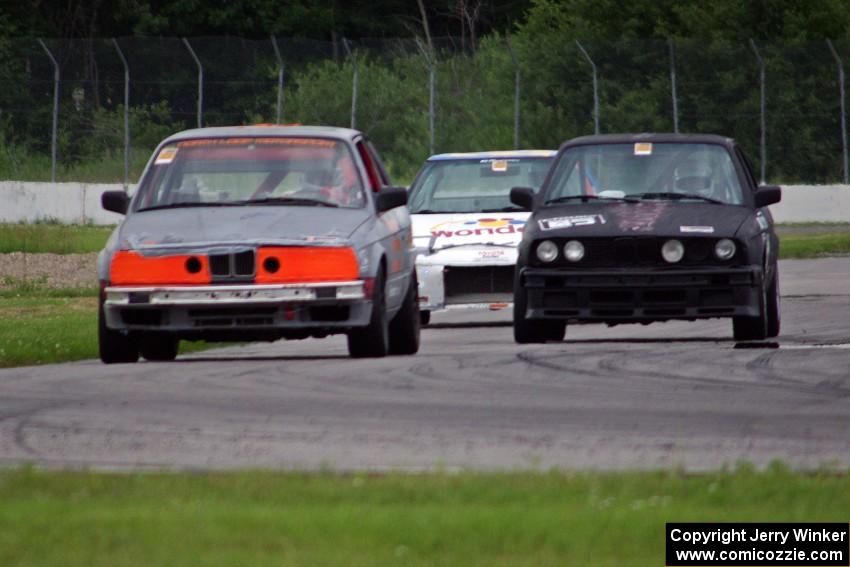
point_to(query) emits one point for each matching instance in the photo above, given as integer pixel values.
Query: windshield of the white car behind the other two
(474, 185)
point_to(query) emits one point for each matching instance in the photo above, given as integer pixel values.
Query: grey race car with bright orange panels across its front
(259, 233)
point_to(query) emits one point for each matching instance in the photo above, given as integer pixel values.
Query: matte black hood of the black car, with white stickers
(660, 218)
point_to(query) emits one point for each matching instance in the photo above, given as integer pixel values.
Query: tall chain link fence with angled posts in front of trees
(93, 109)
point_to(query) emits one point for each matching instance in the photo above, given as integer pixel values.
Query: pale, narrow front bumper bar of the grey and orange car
(233, 294)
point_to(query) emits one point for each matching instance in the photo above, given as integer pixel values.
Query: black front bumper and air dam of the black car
(642, 295)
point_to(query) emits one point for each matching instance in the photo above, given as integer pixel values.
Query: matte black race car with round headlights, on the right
(647, 227)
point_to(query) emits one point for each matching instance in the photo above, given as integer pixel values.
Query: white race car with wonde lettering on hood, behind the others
(466, 230)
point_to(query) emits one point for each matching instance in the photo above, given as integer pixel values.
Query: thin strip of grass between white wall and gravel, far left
(52, 237)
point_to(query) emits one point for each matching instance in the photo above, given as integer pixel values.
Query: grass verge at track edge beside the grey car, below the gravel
(47, 326)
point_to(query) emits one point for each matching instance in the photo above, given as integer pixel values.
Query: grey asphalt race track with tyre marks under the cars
(665, 395)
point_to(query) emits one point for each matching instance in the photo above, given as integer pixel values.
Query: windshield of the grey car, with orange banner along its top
(240, 171)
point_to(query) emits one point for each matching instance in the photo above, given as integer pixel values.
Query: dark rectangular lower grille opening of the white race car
(478, 284)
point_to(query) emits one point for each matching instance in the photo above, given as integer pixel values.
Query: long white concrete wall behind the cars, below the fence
(79, 203)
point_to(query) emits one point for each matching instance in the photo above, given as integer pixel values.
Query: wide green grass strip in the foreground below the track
(264, 518)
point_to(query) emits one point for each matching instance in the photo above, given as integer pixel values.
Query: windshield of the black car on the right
(636, 171)
